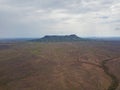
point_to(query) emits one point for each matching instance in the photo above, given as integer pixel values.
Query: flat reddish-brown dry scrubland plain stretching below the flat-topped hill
(60, 66)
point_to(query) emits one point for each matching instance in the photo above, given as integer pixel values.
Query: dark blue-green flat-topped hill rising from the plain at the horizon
(57, 38)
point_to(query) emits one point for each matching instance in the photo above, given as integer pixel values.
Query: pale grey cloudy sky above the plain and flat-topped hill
(36, 18)
